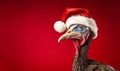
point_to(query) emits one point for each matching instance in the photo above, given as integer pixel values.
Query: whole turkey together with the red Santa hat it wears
(81, 28)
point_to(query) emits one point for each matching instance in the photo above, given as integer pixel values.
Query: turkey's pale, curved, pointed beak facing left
(69, 35)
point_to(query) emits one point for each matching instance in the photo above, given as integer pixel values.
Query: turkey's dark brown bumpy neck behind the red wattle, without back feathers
(80, 61)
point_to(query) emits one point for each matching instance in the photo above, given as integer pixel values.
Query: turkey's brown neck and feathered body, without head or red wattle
(82, 63)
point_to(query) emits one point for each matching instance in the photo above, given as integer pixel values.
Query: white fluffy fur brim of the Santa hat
(85, 21)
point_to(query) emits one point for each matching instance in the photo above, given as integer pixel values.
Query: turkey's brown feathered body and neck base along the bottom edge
(90, 65)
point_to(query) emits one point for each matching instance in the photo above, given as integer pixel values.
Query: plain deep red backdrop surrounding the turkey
(28, 41)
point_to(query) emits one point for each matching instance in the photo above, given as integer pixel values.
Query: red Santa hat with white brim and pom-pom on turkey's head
(76, 16)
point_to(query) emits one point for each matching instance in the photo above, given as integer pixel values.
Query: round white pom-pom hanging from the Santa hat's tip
(59, 26)
